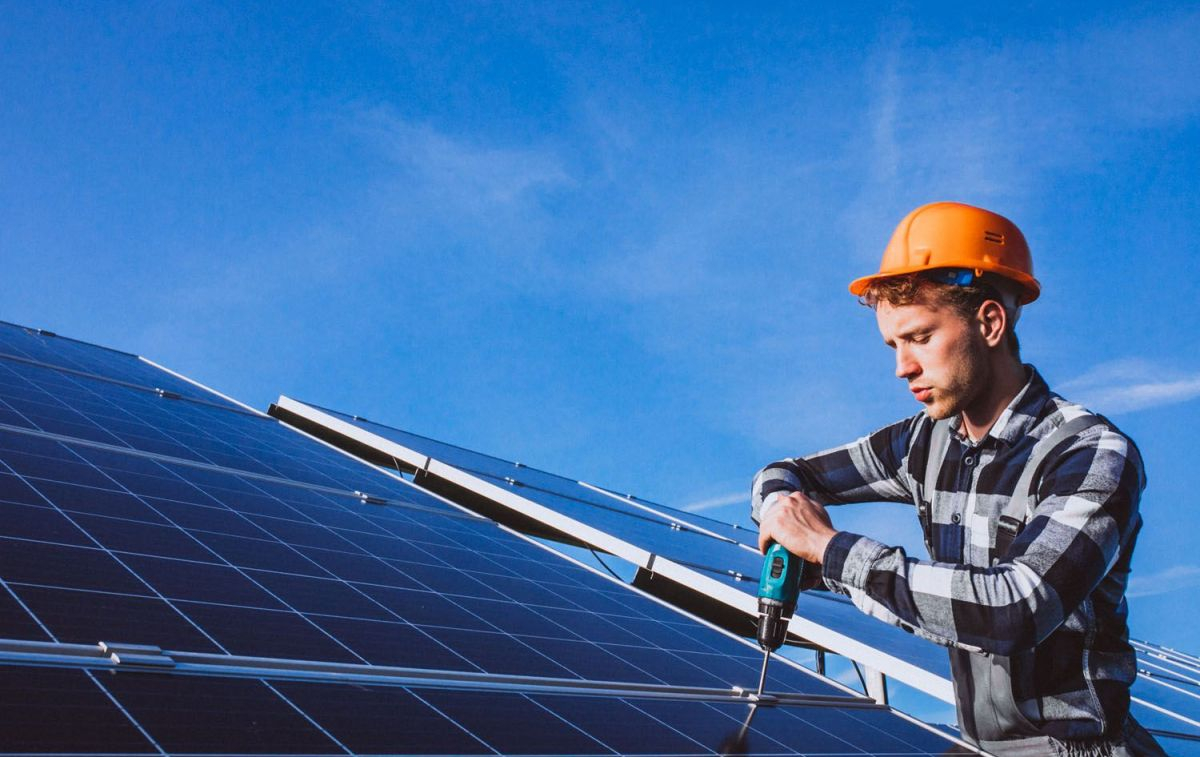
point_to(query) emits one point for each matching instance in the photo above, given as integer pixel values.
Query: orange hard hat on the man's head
(953, 236)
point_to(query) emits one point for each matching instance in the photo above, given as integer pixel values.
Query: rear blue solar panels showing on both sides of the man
(1166, 696)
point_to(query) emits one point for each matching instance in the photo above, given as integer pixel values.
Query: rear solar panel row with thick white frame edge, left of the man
(693, 562)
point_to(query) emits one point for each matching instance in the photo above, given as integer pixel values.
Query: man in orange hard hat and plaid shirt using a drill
(1030, 543)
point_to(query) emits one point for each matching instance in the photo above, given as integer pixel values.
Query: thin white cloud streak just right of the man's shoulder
(1132, 384)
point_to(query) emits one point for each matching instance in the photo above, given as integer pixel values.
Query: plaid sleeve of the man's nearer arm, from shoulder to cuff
(1085, 520)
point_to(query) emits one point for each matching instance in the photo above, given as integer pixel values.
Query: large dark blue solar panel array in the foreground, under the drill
(183, 575)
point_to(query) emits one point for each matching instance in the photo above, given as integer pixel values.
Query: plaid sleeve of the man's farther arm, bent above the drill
(869, 470)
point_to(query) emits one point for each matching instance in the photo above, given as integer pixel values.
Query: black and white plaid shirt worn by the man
(1051, 606)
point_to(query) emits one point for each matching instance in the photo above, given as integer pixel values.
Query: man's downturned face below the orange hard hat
(940, 355)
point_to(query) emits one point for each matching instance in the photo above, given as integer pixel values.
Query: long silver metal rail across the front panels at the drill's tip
(148, 659)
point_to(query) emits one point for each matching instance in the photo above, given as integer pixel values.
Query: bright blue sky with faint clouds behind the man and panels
(608, 239)
